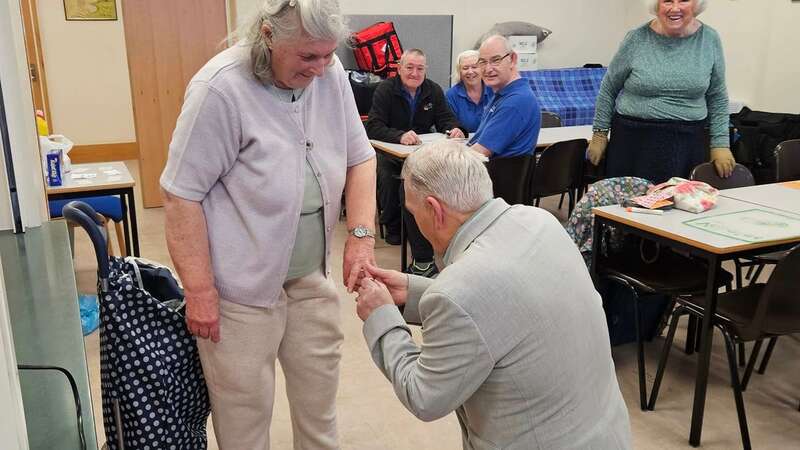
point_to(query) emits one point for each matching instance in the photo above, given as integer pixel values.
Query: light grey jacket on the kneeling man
(514, 339)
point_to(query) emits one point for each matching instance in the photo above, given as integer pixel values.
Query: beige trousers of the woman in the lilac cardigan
(303, 332)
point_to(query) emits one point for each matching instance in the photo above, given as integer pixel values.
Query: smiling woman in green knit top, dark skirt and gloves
(671, 72)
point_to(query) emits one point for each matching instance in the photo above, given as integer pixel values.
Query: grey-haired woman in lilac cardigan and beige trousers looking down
(267, 141)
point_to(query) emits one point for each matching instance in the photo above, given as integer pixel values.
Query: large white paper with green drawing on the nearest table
(753, 225)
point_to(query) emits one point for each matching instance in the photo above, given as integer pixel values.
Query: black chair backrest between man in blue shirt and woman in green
(559, 168)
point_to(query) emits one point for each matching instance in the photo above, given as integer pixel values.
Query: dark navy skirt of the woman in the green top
(656, 150)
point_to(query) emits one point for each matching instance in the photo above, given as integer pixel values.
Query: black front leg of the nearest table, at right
(704, 358)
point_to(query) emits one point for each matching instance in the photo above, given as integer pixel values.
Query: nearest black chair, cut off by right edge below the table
(753, 313)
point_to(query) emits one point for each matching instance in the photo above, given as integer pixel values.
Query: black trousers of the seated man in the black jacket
(390, 194)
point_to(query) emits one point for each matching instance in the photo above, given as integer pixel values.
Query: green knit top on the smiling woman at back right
(663, 77)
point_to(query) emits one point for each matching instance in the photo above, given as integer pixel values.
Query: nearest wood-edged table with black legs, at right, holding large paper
(671, 231)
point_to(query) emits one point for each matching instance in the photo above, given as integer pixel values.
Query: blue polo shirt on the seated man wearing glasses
(510, 125)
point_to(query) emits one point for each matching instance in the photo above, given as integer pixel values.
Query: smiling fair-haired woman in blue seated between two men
(469, 96)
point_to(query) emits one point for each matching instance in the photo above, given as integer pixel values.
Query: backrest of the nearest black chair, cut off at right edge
(778, 299)
